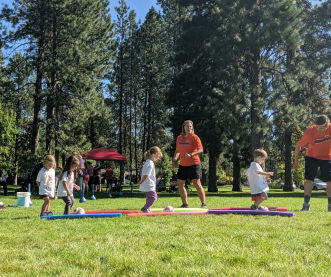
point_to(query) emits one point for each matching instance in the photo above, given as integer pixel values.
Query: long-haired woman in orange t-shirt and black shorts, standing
(188, 147)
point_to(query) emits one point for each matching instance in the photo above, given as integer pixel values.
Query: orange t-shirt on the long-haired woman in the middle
(188, 144)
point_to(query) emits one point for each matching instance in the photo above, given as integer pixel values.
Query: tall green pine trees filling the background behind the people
(249, 74)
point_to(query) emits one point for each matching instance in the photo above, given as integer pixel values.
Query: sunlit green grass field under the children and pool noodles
(191, 245)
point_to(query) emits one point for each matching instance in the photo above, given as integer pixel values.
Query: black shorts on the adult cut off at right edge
(312, 165)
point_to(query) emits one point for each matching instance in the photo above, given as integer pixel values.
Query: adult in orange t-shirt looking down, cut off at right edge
(318, 154)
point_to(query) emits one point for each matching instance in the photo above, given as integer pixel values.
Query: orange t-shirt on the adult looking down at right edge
(319, 144)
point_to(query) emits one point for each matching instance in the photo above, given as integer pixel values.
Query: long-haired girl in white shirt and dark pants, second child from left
(67, 183)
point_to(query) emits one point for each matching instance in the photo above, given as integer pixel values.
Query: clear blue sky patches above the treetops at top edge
(141, 7)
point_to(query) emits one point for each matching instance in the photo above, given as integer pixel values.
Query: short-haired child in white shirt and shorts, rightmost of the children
(256, 179)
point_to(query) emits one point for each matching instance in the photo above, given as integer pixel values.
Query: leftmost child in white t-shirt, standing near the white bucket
(46, 182)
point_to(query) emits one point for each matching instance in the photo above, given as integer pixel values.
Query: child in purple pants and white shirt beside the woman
(148, 180)
